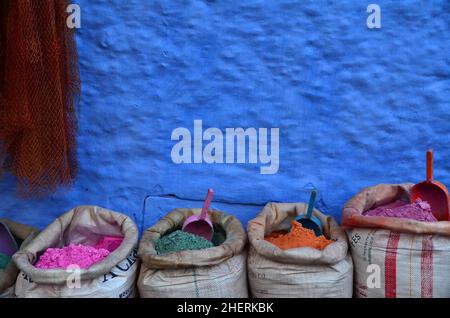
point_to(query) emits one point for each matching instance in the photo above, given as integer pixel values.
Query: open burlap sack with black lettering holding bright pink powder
(113, 277)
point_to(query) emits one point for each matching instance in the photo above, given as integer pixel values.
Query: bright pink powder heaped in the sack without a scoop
(62, 258)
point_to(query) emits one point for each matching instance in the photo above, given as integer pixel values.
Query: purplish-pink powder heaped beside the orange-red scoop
(419, 211)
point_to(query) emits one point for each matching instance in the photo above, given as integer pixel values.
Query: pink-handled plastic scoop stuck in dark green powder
(201, 225)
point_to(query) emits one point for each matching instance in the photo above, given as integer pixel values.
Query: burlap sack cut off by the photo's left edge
(23, 235)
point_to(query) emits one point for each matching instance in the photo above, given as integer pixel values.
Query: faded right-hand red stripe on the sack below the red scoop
(426, 267)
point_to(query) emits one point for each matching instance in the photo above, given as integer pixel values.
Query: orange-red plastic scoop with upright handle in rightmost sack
(434, 192)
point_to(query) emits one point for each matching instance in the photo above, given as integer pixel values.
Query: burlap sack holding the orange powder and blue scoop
(299, 272)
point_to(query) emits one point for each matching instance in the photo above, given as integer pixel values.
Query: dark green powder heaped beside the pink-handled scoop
(181, 241)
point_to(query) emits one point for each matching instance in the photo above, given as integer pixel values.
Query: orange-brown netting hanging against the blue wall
(39, 86)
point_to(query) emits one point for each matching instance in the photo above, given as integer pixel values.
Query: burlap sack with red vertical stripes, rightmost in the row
(396, 257)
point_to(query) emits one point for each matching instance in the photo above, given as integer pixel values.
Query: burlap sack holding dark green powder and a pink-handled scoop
(216, 272)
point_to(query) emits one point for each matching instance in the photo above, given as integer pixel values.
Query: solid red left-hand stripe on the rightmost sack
(390, 264)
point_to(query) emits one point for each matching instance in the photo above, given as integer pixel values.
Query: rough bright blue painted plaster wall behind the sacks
(355, 107)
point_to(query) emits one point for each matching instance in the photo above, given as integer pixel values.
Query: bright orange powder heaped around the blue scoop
(298, 237)
